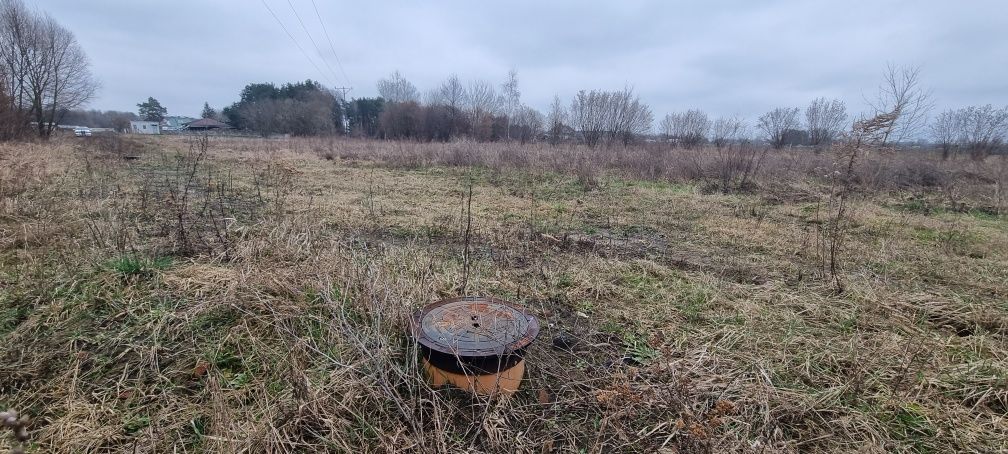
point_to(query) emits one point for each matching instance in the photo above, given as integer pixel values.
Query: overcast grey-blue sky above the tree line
(733, 57)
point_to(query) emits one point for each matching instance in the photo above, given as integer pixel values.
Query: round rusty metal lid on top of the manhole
(475, 326)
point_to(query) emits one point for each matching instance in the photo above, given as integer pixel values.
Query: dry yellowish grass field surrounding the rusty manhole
(256, 298)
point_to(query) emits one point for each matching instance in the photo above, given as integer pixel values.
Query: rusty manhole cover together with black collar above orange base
(474, 335)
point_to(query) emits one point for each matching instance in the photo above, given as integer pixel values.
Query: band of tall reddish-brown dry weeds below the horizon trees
(737, 168)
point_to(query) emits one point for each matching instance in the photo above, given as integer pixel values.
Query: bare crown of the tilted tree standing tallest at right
(902, 95)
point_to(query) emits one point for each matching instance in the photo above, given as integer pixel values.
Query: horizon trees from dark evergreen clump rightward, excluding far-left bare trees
(481, 111)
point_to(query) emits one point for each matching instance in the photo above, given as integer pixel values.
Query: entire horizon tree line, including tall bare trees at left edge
(46, 81)
